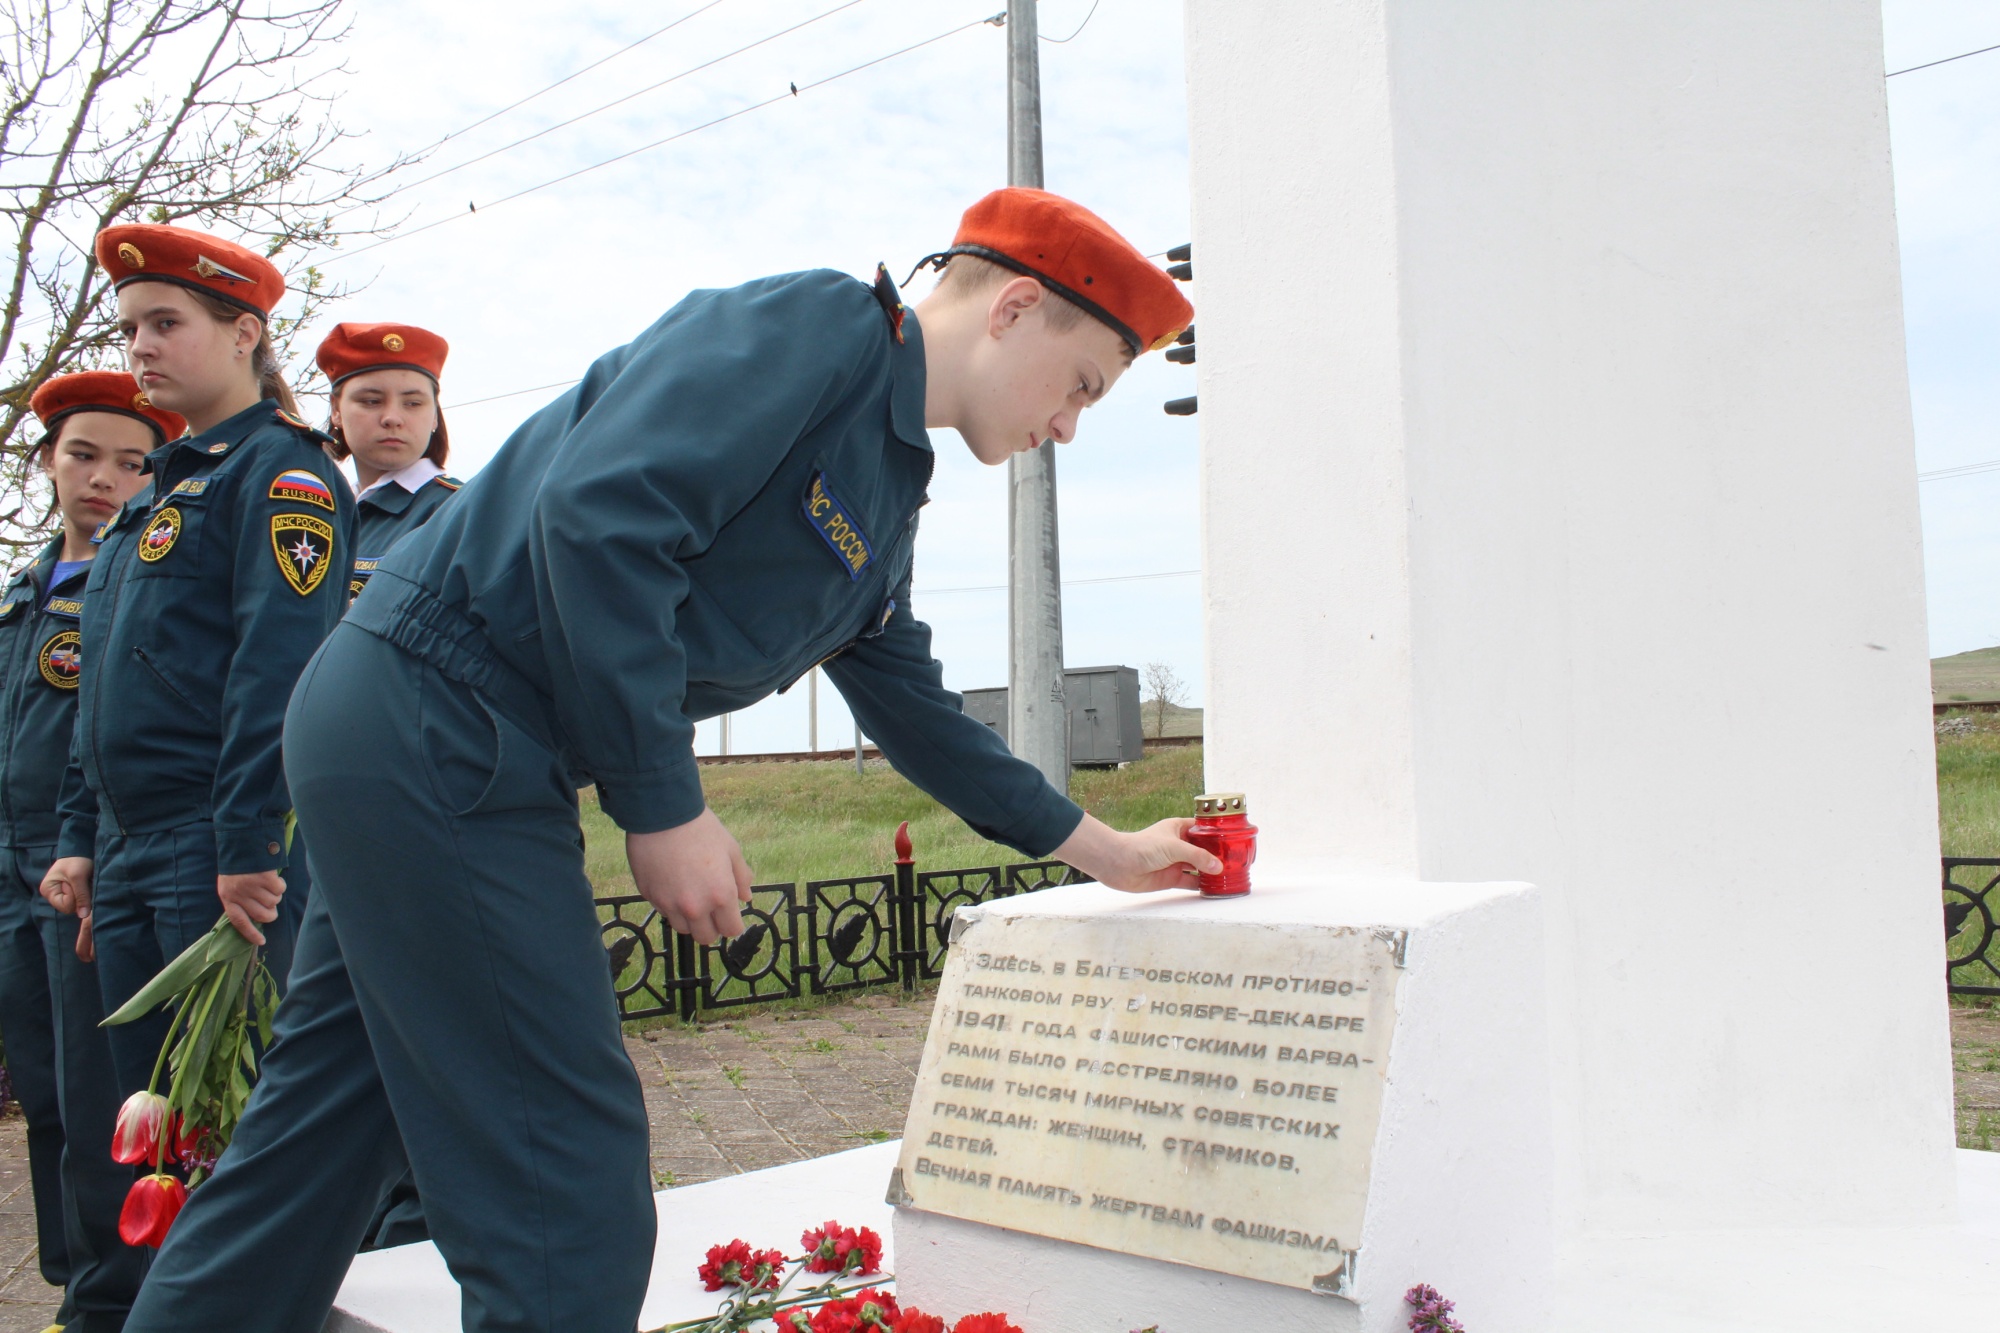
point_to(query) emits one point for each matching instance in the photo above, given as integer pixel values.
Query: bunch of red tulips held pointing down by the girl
(225, 1002)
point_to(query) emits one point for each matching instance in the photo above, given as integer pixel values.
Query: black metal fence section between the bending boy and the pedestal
(819, 940)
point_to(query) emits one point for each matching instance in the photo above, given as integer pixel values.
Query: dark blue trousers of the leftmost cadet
(63, 1078)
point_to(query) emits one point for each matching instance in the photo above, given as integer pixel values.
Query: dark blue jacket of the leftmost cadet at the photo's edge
(41, 665)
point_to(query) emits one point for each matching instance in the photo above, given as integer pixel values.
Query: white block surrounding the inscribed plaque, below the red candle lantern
(1461, 1164)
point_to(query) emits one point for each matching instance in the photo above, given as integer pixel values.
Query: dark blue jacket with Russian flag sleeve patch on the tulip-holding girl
(205, 603)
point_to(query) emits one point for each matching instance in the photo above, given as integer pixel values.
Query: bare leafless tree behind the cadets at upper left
(205, 113)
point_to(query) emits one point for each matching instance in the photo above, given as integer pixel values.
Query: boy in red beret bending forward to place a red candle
(709, 513)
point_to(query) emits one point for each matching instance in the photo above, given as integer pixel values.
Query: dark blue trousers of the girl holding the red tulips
(153, 896)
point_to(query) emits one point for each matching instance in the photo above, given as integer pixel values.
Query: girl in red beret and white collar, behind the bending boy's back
(385, 413)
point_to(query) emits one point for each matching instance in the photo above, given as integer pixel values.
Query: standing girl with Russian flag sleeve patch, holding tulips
(201, 613)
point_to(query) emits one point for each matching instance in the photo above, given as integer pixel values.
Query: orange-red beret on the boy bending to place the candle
(1079, 257)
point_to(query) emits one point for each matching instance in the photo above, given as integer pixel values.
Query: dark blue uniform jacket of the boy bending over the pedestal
(715, 509)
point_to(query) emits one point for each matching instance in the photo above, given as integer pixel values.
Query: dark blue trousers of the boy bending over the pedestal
(451, 1010)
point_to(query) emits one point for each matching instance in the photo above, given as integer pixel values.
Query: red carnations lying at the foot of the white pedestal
(767, 1290)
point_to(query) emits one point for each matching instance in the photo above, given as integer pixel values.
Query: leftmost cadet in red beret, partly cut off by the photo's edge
(101, 429)
